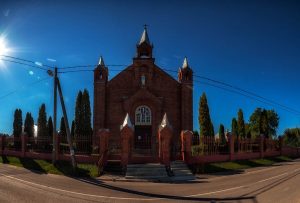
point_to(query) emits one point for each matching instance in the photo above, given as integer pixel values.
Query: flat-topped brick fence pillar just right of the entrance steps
(186, 145)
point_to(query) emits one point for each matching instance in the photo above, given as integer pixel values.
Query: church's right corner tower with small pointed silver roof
(185, 77)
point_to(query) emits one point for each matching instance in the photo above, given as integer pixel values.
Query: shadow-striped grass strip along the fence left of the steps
(42, 166)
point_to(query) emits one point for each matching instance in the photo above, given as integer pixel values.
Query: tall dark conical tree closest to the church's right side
(204, 118)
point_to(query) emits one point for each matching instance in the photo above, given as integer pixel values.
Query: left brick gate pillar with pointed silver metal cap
(126, 133)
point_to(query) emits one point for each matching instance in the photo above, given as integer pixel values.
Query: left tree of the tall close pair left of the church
(79, 116)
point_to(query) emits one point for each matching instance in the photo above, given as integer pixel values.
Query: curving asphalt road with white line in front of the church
(280, 183)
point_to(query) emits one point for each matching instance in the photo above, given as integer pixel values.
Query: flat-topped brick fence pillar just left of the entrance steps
(103, 135)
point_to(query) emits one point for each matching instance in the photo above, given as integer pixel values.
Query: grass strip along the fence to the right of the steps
(236, 166)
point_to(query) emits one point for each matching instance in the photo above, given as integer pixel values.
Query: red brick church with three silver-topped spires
(146, 93)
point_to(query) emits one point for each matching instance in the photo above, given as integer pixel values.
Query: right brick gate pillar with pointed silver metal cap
(165, 135)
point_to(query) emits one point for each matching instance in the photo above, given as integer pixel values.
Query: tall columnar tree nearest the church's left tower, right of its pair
(87, 125)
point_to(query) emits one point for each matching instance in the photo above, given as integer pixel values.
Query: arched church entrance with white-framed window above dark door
(143, 128)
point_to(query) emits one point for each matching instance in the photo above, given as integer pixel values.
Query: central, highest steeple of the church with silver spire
(144, 47)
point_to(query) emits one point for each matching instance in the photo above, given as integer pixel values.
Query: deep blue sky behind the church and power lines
(254, 45)
